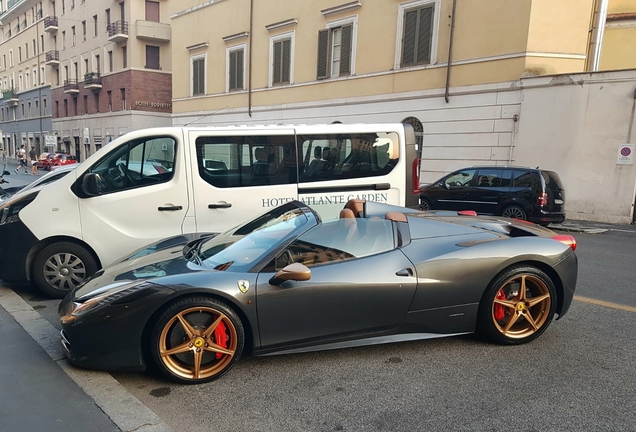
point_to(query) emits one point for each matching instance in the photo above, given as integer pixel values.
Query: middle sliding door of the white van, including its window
(239, 174)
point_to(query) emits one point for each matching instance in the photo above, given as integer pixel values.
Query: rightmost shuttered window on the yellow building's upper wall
(417, 35)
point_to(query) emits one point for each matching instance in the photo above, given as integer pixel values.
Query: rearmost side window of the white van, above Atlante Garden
(344, 156)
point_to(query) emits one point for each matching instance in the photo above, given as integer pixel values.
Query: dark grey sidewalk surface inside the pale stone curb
(36, 395)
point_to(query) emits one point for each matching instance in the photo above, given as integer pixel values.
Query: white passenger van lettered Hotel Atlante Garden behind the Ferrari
(156, 183)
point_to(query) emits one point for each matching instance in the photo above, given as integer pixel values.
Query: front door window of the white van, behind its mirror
(141, 162)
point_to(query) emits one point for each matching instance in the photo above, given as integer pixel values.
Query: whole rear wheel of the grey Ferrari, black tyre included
(518, 306)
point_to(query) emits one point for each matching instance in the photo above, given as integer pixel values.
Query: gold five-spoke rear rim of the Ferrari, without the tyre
(524, 312)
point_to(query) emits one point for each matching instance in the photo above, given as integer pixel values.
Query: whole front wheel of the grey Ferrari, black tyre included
(196, 340)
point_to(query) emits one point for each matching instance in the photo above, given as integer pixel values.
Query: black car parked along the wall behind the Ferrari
(531, 194)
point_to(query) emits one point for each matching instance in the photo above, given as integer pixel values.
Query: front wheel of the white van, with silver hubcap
(61, 267)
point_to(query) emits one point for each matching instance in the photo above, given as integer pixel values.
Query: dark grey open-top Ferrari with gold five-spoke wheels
(288, 282)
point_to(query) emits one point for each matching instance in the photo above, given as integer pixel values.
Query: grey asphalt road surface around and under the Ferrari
(577, 376)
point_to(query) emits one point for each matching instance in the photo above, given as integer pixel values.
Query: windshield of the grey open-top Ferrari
(240, 248)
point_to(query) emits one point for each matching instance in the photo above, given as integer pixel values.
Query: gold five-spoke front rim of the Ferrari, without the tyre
(189, 346)
